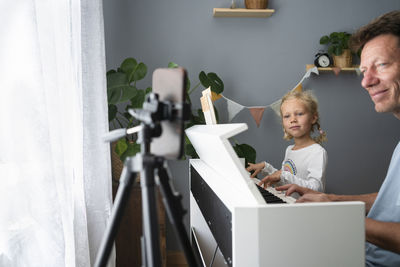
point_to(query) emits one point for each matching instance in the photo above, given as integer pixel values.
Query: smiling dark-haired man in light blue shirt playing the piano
(380, 65)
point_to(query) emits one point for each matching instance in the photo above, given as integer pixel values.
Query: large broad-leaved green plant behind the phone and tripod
(123, 94)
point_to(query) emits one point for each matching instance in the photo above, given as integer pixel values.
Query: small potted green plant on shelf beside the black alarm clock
(338, 48)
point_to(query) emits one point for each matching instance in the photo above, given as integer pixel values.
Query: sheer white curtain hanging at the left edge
(55, 185)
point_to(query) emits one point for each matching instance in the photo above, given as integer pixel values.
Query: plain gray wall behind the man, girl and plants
(259, 59)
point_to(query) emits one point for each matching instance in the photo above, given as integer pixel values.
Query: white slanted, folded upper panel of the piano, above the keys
(214, 149)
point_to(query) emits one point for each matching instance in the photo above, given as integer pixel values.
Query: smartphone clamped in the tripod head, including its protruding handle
(162, 116)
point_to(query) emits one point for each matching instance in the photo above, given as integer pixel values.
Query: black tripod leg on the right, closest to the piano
(175, 212)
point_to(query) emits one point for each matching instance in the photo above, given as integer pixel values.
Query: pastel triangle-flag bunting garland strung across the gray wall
(257, 111)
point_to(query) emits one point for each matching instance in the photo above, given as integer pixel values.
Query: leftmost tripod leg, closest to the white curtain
(126, 180)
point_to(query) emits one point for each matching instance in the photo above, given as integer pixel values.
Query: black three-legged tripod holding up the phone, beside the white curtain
(147, 164)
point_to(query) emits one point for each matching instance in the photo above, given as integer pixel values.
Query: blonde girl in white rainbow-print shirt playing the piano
(305, 161)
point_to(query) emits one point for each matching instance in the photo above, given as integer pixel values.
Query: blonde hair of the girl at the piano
(311, 104)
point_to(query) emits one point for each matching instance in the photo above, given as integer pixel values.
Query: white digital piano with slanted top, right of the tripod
(227, 209)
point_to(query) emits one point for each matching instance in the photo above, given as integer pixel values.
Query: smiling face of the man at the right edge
(380, 65)
